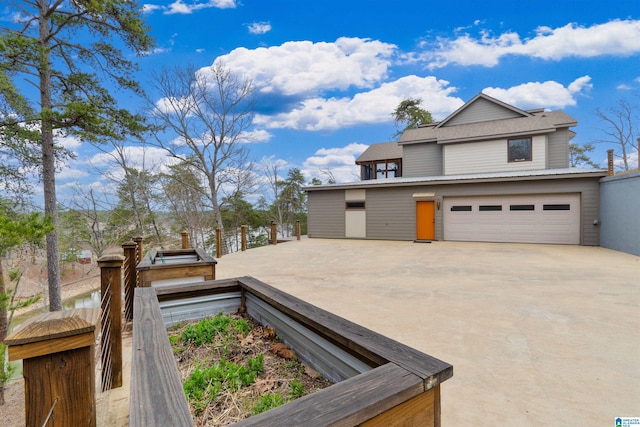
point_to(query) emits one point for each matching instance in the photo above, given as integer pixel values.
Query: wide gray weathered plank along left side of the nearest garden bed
(157, 397)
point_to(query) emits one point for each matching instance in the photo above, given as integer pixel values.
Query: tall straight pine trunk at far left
(48, 161)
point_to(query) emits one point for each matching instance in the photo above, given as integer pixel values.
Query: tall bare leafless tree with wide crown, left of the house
(204, 115)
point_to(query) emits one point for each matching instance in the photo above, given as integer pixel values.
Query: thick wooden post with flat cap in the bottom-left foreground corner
(58, 367)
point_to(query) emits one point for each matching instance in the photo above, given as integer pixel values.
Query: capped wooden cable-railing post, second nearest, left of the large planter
(111, 328)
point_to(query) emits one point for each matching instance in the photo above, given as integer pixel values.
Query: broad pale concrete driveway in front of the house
(538, 335)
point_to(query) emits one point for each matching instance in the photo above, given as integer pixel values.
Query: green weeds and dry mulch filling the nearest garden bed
(232, 373)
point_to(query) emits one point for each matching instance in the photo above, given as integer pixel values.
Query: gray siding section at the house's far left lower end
(326, 214)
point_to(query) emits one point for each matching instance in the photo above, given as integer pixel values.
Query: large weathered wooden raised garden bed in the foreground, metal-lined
(377, 381)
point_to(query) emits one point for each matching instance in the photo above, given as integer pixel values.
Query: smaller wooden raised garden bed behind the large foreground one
(163, 267)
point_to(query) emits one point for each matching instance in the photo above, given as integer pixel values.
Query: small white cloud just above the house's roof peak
(549, 94)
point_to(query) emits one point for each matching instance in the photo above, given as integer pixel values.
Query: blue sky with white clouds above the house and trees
(330, 73)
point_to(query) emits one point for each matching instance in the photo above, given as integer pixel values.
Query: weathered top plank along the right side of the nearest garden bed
(374, 347)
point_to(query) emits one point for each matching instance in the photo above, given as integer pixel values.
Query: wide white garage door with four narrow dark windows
(550, 218)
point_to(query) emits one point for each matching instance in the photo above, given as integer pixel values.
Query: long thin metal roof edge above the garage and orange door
(466, 178)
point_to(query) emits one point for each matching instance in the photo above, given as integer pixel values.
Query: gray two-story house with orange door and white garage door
(489, 172)
